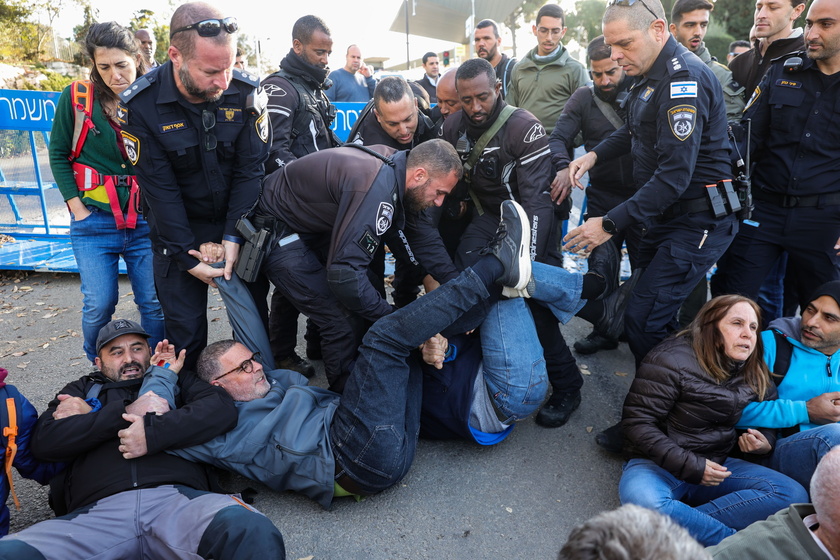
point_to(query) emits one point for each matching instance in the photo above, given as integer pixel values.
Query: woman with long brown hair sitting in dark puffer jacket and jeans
(679, 421)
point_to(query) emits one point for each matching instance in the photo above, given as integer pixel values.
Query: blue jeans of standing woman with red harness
(97, 246)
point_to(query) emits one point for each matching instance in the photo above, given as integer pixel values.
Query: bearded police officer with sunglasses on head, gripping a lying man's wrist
(197, 133)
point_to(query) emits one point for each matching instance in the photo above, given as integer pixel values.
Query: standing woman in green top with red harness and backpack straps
(96, 179)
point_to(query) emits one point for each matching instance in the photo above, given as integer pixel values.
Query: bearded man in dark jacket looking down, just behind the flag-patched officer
(596, 111)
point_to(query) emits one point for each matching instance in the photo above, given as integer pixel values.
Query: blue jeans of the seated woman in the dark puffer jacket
(710, 513)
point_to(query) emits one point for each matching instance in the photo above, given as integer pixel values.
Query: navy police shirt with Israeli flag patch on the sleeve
(676, 131)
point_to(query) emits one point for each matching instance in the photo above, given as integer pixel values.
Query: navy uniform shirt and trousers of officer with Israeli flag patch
(676, 131)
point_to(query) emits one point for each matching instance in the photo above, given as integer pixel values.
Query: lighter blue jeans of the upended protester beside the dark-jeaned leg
(513, 362)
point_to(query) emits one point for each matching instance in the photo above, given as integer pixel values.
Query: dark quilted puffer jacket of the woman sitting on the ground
(677, 416)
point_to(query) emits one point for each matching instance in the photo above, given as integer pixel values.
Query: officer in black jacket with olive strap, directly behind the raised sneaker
(514, 164)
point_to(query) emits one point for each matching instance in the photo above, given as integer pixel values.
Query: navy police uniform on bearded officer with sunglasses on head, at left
(199, 167)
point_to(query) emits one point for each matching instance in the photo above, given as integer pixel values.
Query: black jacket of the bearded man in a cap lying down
(89, 442)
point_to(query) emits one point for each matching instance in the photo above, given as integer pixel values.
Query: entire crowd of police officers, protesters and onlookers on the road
(202, 174)
